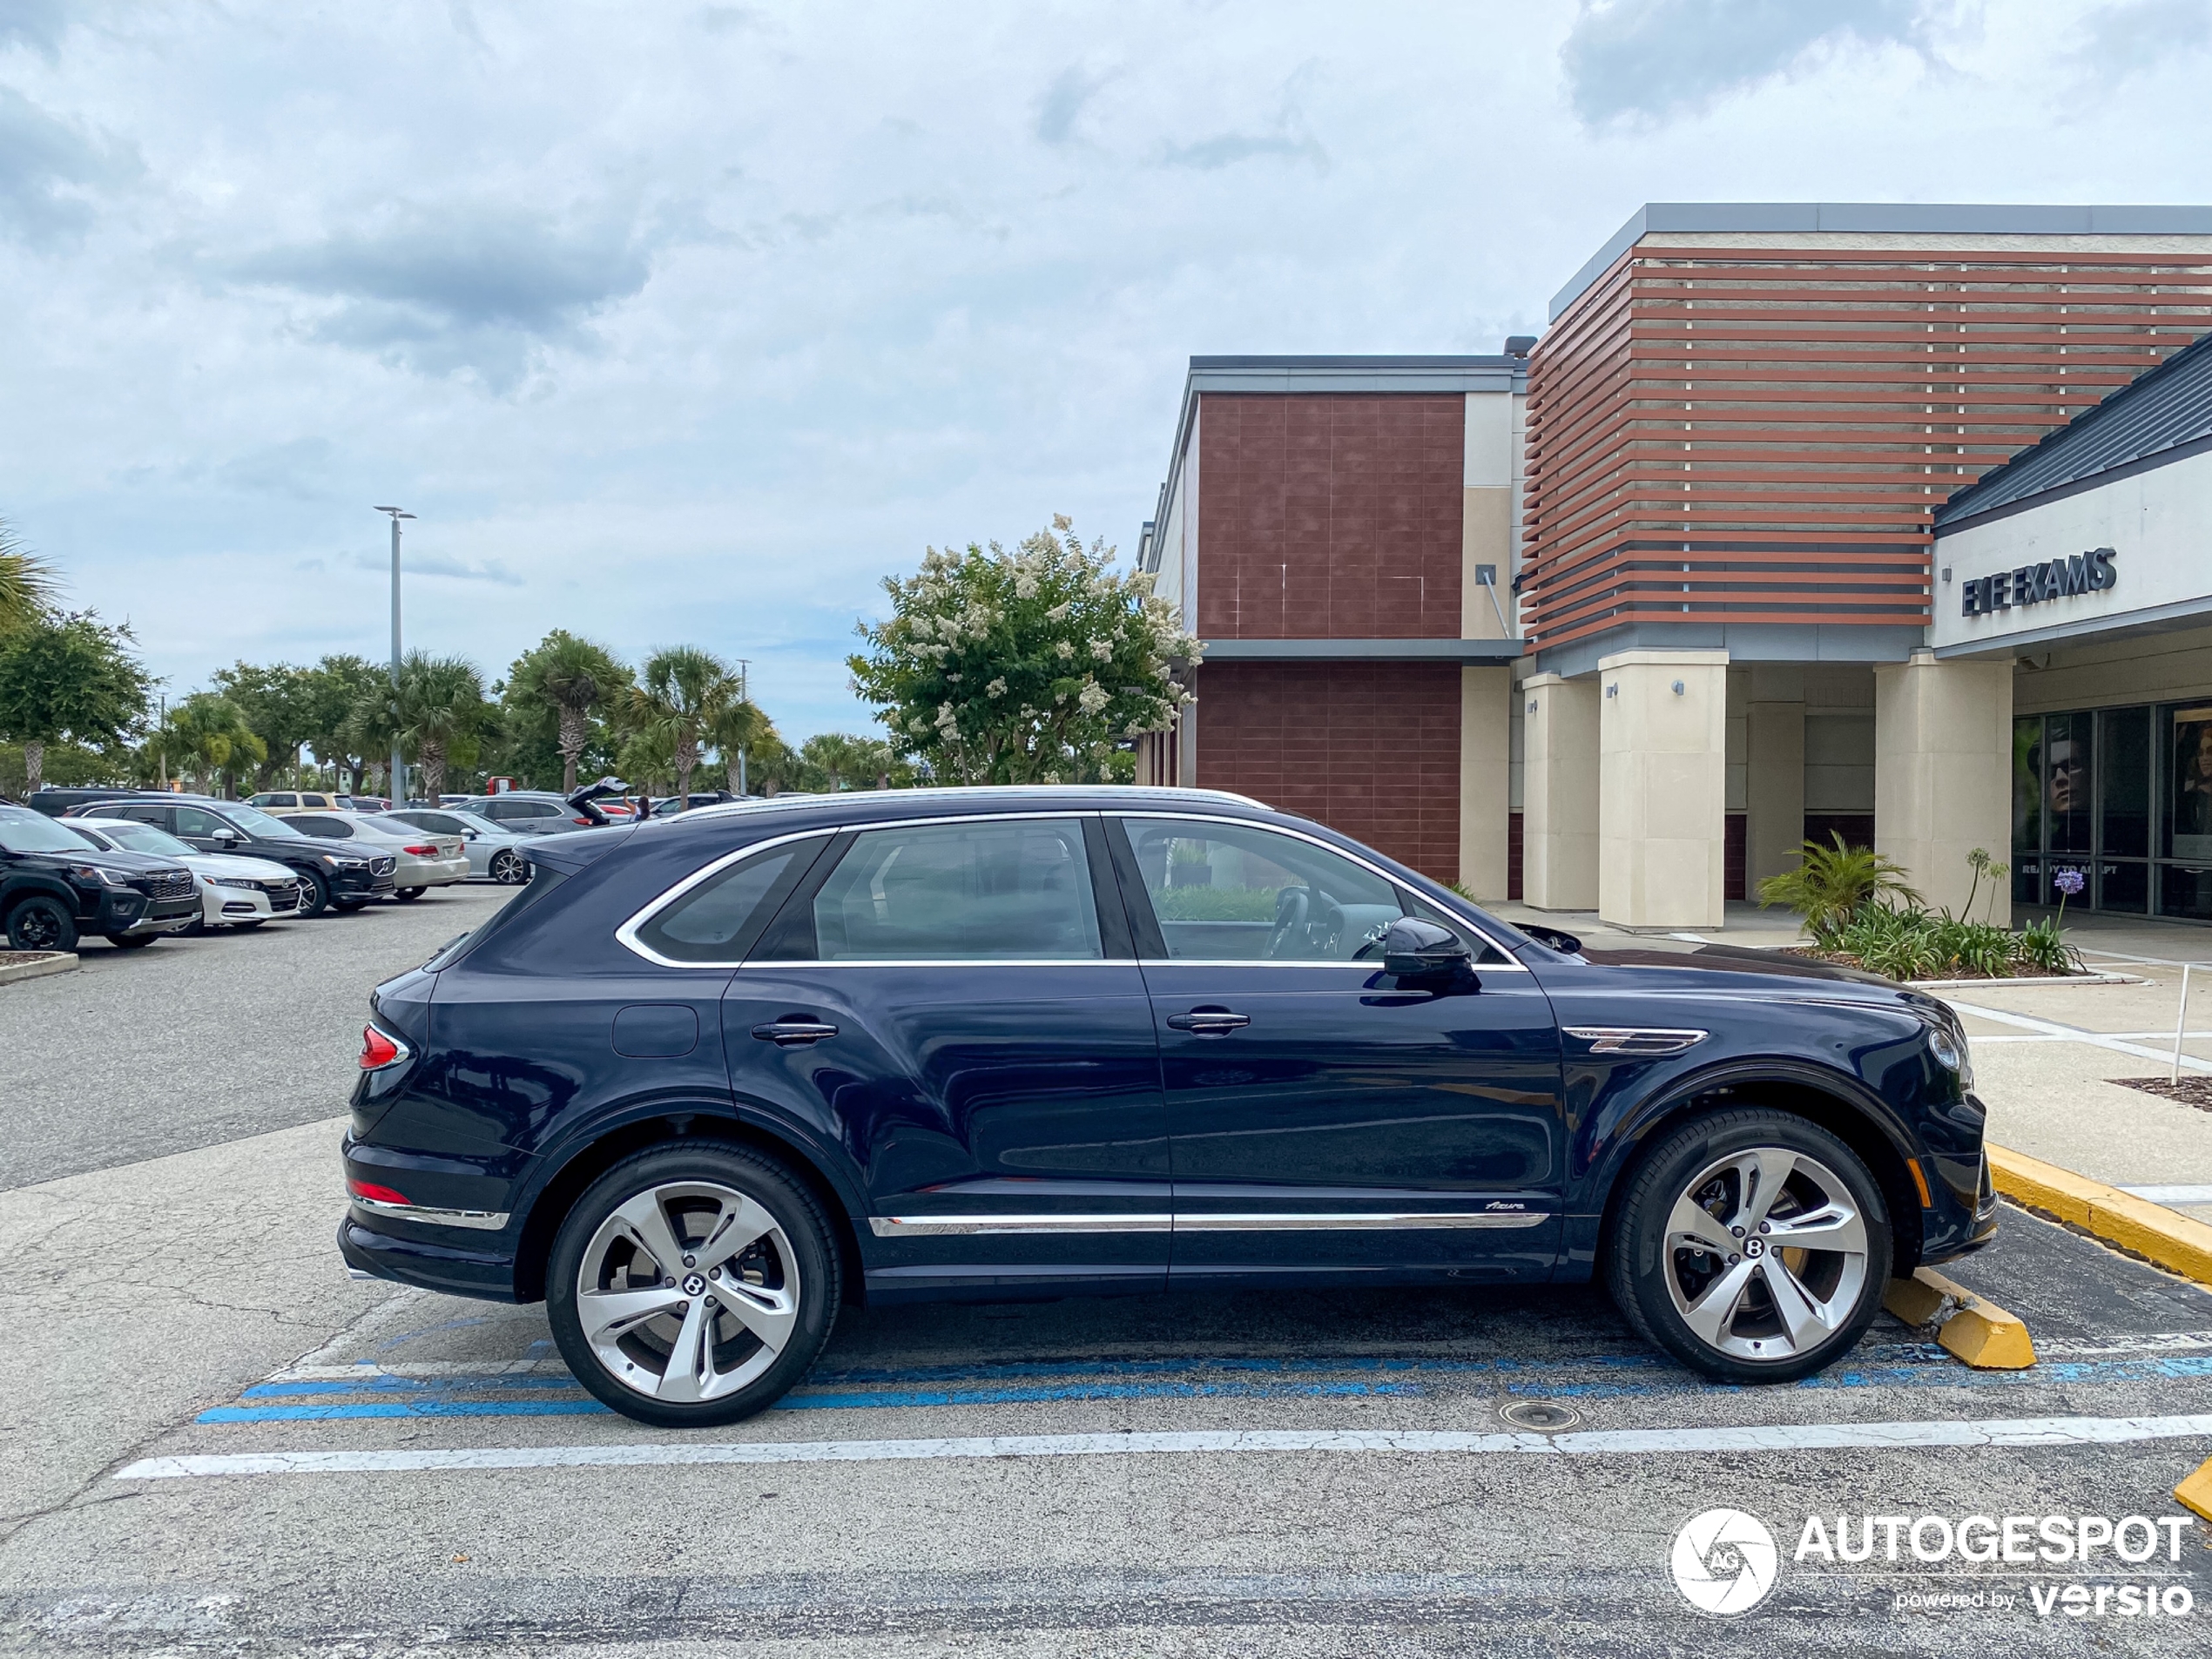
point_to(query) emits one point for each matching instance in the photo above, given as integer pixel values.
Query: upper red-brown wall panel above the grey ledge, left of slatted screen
(1331, 517)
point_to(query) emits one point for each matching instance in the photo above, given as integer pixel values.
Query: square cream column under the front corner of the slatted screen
(1662, 789)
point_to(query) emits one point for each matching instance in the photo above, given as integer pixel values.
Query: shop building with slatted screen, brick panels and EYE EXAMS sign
(1620, 620)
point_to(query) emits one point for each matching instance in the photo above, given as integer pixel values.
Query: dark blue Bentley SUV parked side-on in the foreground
(713, 1076)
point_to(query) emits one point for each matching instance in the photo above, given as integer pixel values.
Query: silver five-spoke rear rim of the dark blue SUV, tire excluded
(689, 1293)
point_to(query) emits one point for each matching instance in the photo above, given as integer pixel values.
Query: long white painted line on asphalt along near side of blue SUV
(1784, 1437)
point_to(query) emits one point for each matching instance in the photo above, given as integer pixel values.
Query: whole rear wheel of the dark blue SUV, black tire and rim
(634, 1359)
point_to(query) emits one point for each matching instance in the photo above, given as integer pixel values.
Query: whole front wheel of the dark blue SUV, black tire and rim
(1749, 1308)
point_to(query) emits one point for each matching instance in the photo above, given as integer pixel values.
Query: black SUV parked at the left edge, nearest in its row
(54, 888)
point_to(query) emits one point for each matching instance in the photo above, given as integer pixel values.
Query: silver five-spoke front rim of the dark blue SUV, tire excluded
(1766, 1255)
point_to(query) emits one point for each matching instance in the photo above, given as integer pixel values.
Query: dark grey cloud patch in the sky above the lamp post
(461, 286)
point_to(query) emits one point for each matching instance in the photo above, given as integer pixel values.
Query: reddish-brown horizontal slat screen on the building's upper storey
(1733, 435)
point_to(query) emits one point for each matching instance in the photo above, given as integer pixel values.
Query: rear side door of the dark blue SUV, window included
(963, 1010)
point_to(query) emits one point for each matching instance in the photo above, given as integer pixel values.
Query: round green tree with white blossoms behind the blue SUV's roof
(1023, 667)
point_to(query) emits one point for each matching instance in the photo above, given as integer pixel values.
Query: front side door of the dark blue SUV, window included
(1350, 1125)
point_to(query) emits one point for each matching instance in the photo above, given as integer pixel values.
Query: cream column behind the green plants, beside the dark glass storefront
(1943, 773)
